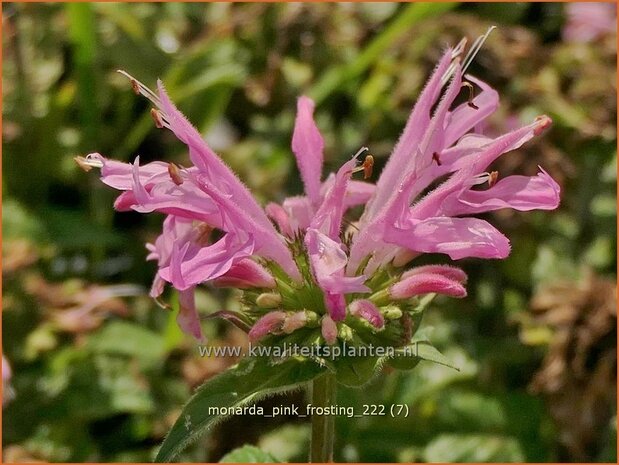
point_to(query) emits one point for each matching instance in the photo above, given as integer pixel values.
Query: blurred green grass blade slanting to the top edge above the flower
(409, 16)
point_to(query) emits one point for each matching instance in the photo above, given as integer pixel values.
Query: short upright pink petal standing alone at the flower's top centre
(307, 145)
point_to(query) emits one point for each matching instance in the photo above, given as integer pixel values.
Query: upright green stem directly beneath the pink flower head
(324, 391)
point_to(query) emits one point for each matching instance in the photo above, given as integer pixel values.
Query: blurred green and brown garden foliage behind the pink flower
(94, 370)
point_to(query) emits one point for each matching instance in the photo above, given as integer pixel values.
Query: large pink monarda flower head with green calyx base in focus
(309, 276)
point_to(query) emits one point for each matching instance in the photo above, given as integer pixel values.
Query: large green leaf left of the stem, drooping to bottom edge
(240, 385)
